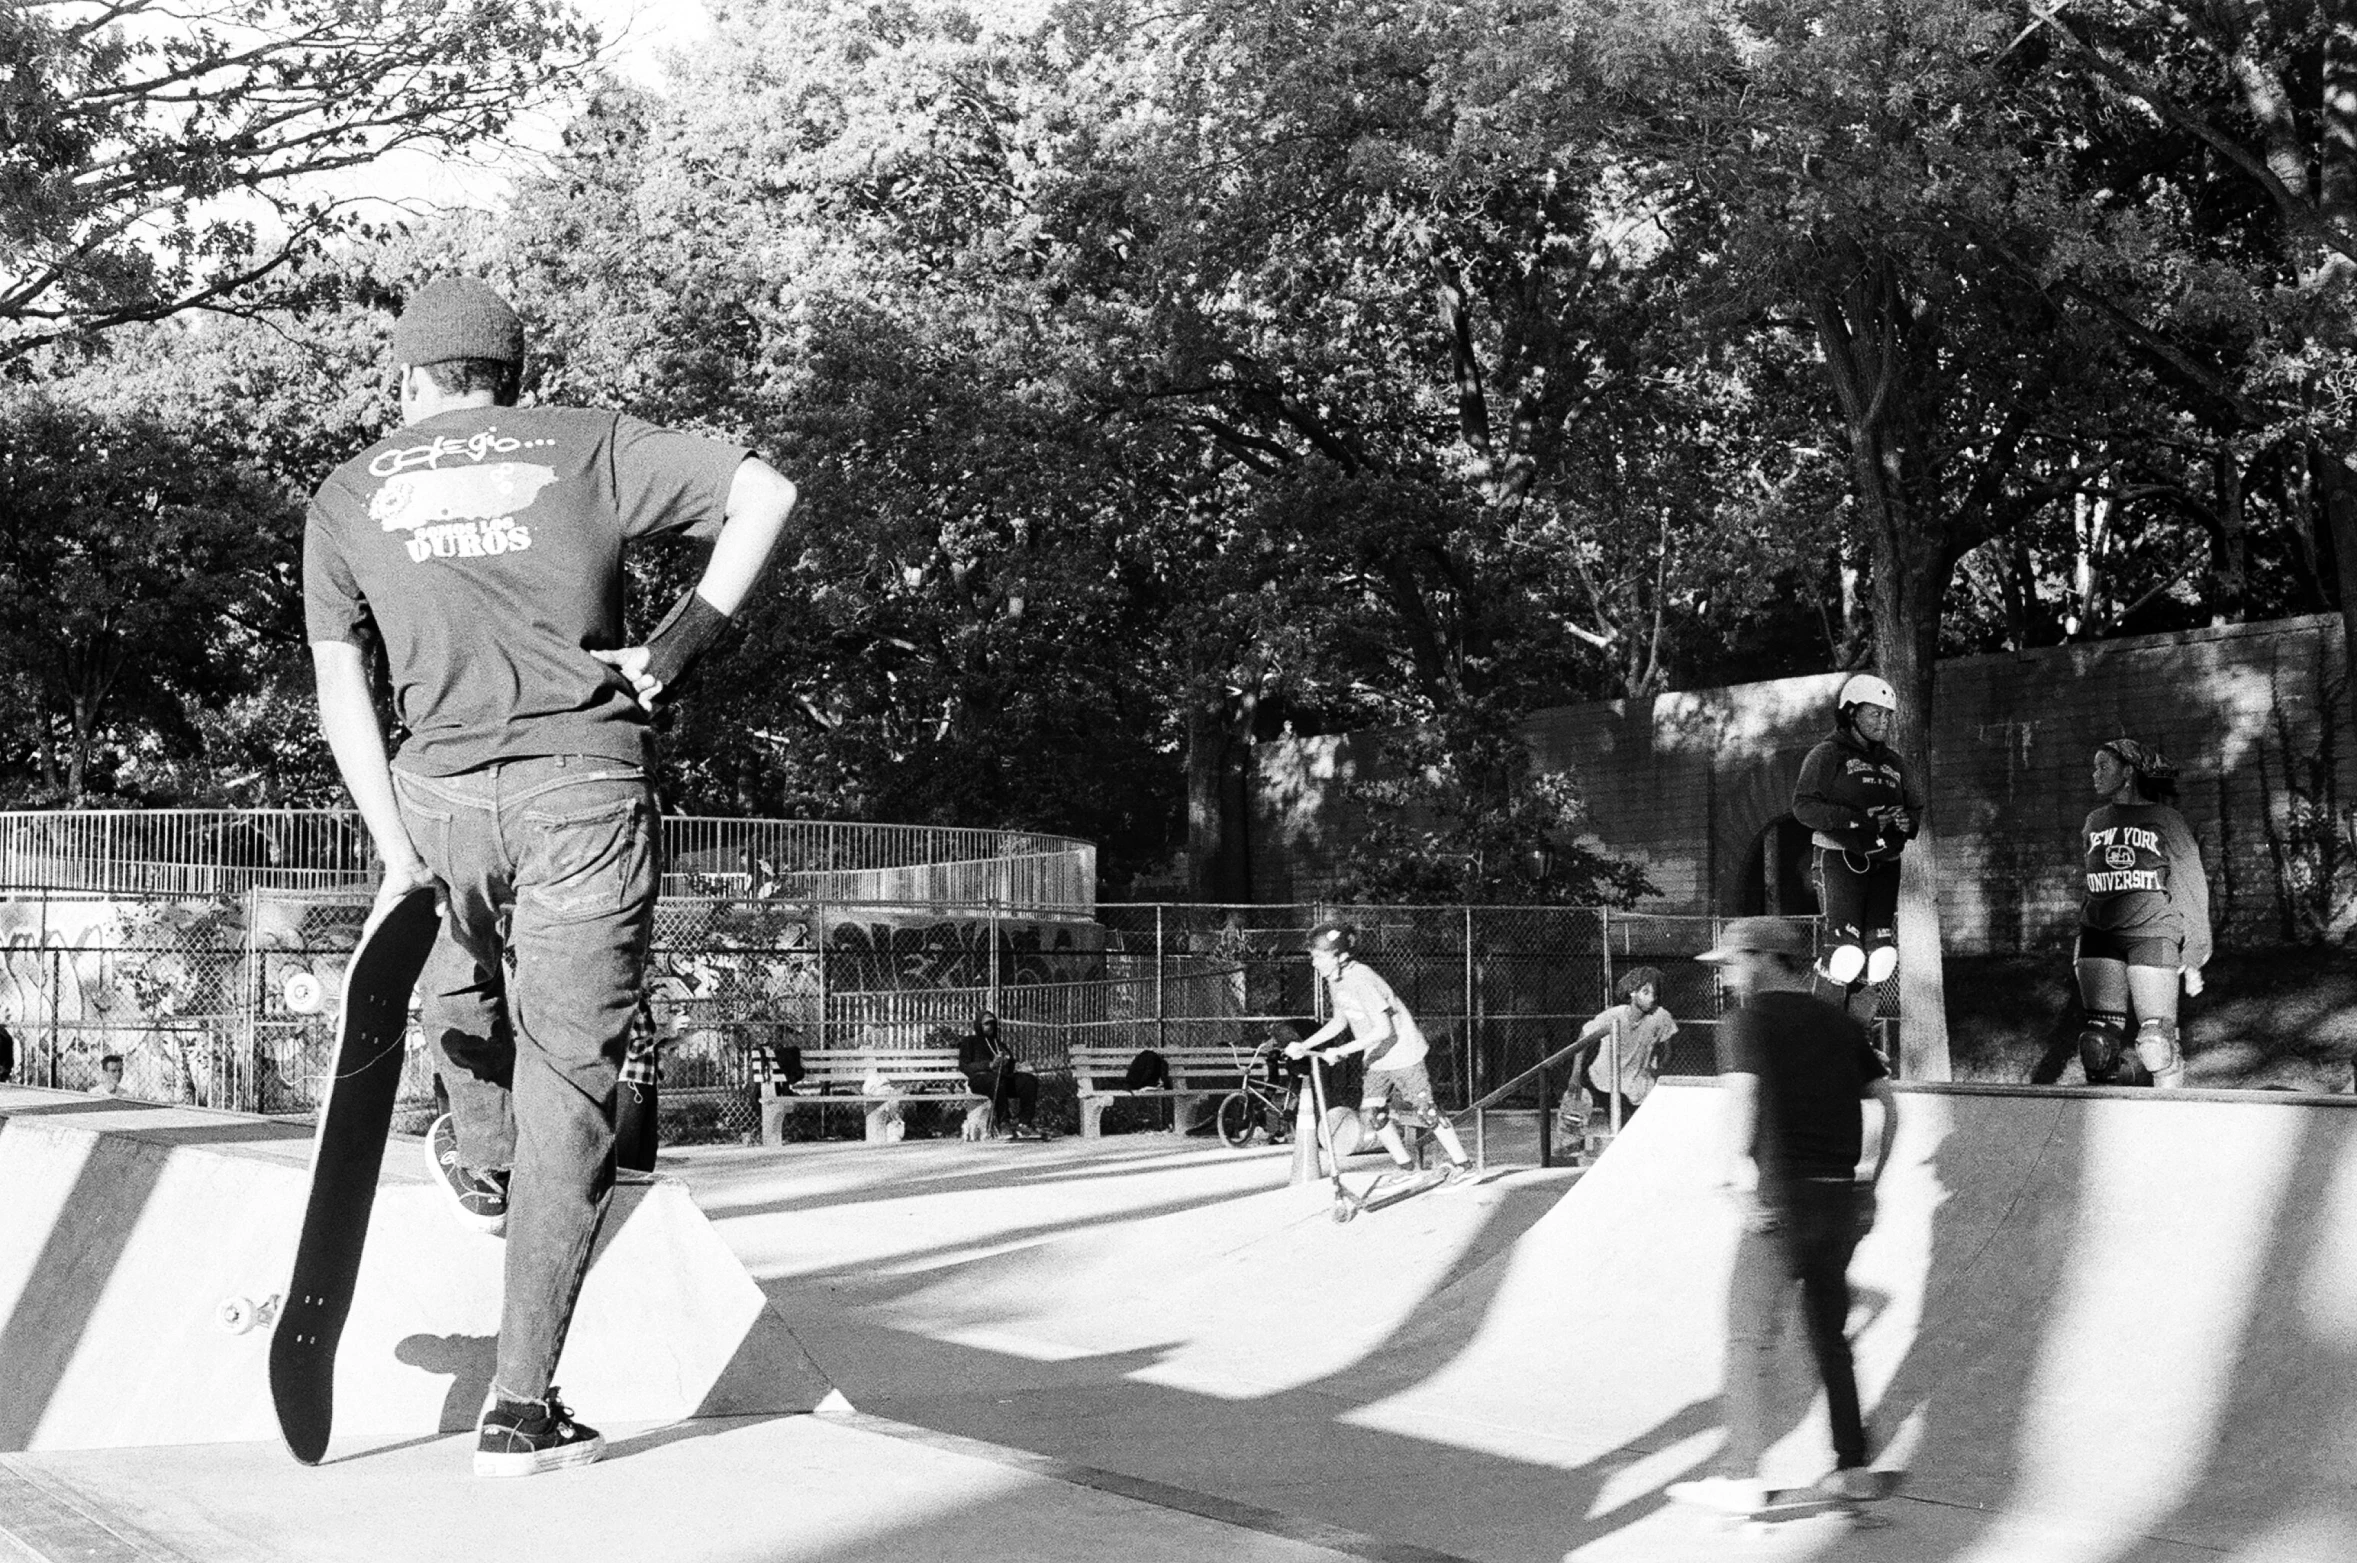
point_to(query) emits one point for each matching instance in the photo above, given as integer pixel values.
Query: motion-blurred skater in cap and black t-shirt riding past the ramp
(1795, 1071)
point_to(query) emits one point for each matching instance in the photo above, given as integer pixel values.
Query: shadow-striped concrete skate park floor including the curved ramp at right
(1154, 1347)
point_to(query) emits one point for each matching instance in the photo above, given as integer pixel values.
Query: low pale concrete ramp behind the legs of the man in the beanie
(126, 1229)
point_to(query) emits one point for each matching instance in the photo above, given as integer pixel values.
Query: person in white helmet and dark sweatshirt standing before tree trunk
(1861, 810)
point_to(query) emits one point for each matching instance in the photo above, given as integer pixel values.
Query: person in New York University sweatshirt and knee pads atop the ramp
(2144, 921)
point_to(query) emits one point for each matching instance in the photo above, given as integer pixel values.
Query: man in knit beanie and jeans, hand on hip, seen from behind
(482, 548)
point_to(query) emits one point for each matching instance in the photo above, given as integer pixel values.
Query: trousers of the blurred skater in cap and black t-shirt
(1811, 1232)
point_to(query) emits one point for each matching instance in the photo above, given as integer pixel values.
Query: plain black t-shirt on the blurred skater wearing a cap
(1814, 1064)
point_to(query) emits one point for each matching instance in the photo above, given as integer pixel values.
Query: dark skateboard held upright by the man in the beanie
(348, 1152)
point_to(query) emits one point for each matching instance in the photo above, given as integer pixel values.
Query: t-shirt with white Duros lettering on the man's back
(487, 550)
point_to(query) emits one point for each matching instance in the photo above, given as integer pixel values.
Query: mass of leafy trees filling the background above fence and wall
(1163, 381)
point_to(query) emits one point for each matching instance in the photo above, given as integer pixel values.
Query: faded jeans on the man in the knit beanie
(553, 871)
